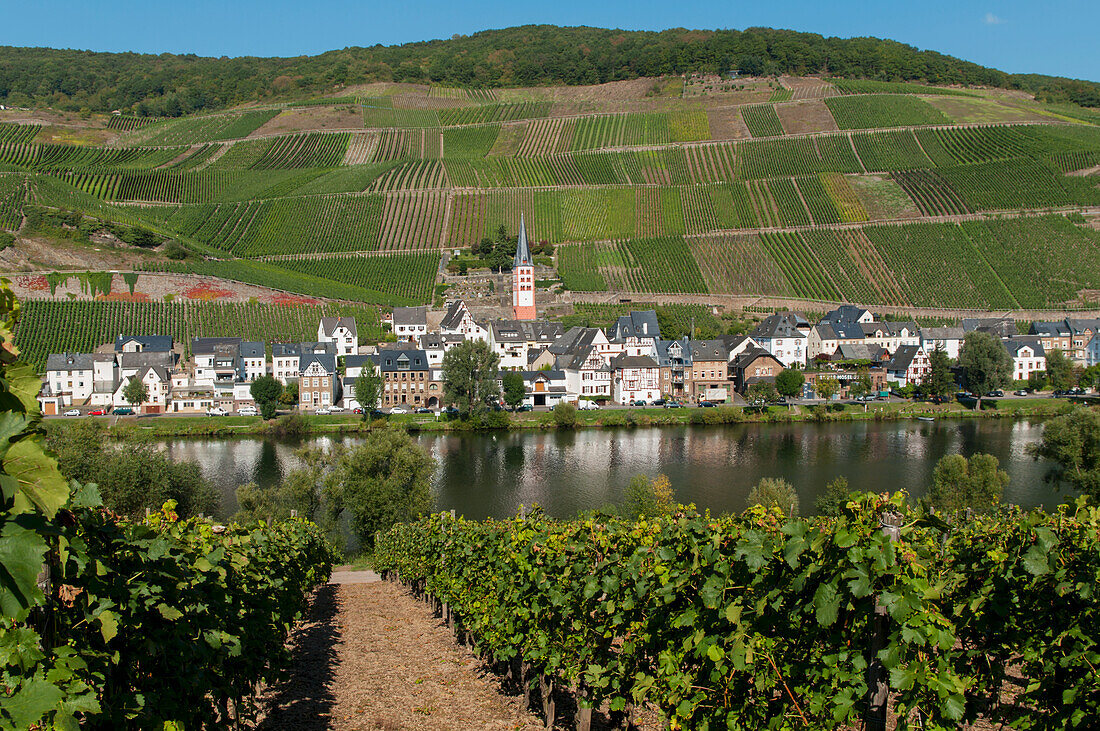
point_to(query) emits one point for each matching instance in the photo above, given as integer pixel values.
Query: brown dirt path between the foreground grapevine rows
(370, 657)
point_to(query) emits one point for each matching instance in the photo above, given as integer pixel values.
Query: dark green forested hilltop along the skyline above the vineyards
(170, 85)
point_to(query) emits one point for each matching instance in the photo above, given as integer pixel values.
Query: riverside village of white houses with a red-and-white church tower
(628, 364)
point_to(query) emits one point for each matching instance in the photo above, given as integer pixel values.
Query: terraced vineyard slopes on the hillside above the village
(644, 195)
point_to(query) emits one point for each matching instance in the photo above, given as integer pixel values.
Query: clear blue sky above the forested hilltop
(1058, 38)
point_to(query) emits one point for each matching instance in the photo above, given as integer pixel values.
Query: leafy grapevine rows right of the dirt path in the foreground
(755, 623)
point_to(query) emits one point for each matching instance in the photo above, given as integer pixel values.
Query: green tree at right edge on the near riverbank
(1073, 444)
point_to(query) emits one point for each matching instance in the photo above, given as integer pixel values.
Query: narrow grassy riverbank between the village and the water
(161, 427)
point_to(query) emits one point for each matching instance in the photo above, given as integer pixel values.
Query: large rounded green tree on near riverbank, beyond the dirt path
(383, 482)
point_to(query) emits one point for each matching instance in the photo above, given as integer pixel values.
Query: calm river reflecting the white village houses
(490, 475)
